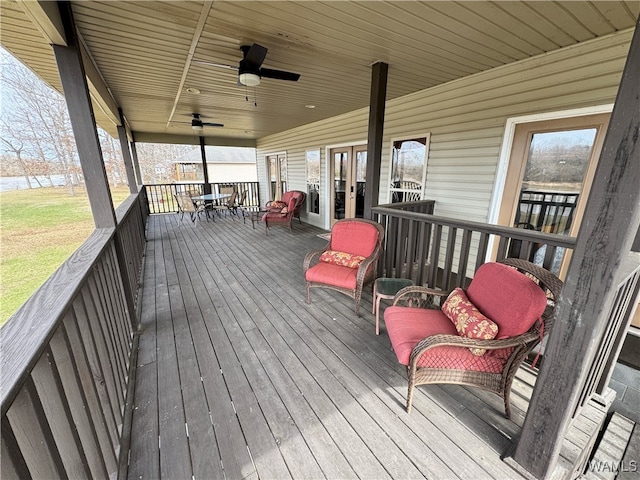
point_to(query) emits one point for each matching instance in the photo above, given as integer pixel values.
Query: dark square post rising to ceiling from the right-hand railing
(376, 127)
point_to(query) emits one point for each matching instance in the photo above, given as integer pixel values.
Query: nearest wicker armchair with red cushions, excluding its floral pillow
(518, 296)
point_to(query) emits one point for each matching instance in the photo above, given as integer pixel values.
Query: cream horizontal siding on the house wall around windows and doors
(466, 119)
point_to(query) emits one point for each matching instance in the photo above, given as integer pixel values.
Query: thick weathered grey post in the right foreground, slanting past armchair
(610, 223)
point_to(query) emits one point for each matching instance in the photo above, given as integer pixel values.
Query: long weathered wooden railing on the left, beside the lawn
(65, 360)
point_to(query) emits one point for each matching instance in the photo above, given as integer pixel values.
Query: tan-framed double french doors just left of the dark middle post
(349, 167)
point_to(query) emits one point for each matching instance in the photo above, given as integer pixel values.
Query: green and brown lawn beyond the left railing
(39, 229)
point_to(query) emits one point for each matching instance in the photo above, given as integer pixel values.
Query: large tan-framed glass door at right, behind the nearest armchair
(549, 177)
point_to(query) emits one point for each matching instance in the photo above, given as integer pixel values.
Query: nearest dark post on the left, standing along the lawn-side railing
(76, 93)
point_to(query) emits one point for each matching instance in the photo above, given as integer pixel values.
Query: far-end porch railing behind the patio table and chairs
(161, 197)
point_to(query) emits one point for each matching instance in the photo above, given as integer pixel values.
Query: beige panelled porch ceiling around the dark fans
(146, 54)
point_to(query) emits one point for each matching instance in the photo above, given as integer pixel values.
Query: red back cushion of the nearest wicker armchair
(509, 298)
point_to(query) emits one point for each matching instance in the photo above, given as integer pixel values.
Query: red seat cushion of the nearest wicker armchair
(407, 326)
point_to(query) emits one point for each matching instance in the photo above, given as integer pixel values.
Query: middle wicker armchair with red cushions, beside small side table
(348, 262)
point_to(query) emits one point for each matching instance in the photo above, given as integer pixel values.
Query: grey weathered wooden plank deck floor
(237, 377)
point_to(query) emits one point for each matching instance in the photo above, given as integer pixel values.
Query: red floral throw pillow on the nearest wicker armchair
(468, 320)
